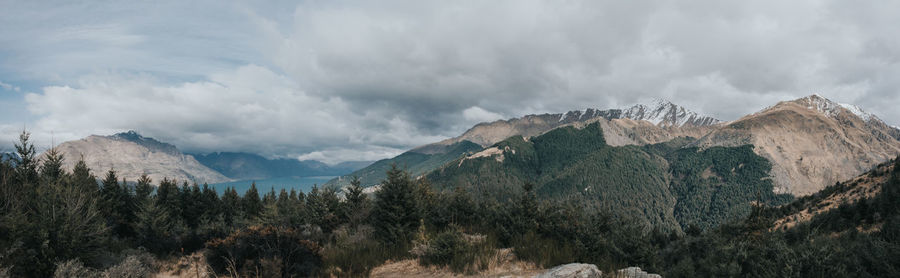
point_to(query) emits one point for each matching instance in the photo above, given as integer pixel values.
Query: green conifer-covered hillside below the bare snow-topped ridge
(663, 185)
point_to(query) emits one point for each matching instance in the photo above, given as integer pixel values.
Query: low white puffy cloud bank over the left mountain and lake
(249, 109)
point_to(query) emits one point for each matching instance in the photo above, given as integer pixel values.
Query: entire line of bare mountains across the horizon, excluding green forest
(810, 142)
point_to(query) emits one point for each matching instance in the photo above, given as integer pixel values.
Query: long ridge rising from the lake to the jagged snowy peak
(639, 124)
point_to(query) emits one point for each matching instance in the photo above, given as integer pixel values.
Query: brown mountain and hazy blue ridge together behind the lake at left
(132, 155)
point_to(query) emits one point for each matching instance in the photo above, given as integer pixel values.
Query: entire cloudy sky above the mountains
(364, 80)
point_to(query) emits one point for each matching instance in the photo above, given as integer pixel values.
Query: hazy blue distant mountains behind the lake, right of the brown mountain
(244, 166)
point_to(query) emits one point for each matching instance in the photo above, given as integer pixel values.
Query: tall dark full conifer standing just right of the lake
(395, 216)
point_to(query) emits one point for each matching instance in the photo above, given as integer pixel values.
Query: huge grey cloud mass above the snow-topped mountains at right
(519, 57)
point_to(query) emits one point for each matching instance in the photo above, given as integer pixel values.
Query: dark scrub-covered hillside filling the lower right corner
(858, 238)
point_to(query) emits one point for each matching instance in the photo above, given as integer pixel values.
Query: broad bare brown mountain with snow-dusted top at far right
(812, 142)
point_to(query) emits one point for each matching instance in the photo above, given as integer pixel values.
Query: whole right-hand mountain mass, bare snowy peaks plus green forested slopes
(659, 163)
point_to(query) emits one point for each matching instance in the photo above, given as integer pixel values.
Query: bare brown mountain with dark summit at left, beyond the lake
(132, 155)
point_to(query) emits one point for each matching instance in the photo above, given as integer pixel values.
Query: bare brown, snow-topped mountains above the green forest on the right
(811, 142)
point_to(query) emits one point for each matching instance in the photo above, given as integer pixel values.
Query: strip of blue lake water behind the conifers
(303, 184)
